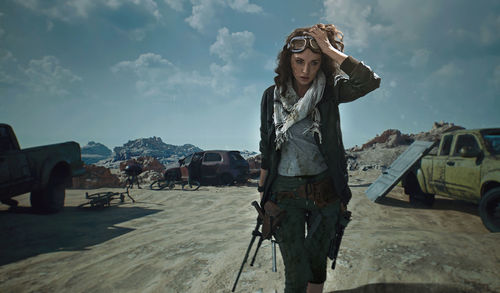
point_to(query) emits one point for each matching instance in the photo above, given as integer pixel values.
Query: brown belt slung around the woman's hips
(321, 192)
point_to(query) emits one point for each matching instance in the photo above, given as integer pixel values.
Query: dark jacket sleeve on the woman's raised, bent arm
(361, 81)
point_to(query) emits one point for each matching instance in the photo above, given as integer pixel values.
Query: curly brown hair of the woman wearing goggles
(329, 67)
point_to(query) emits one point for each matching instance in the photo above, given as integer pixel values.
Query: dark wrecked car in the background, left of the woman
(218, 167)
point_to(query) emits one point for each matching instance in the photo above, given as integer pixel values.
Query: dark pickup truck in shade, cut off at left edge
(45, 171)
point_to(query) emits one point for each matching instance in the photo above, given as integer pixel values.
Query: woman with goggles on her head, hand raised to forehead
(303, 159)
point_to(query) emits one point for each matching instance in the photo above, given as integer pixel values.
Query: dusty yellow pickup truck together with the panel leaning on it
(466, 166)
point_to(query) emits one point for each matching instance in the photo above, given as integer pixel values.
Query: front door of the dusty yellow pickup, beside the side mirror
(463, 174)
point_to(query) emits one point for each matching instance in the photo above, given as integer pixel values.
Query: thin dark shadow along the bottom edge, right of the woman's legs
(411, 288)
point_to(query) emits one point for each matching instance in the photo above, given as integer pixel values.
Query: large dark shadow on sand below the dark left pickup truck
(26, 234)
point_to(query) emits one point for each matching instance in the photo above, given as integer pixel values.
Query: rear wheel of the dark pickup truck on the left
(51, 199)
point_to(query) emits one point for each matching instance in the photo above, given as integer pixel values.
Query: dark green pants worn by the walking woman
(305, 258)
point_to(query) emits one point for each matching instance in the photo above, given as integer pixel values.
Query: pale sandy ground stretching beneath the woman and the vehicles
(180, 241)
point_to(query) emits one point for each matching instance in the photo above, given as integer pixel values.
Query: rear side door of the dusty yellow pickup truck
(437, 182)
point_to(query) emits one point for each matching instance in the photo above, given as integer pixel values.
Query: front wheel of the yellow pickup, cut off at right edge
(489, 209)
